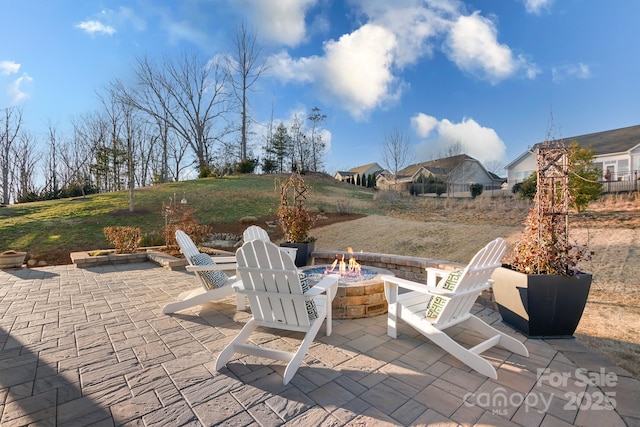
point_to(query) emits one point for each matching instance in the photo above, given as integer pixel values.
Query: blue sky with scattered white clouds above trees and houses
(487, 74)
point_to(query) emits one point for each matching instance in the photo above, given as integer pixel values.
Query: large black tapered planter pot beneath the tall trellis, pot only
(541, 305)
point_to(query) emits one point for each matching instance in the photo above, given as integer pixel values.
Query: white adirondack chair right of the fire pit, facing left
(432, 308)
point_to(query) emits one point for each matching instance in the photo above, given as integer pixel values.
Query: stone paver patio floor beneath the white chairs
(82, 347)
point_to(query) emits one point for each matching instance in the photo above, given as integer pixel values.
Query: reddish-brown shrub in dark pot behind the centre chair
(295, 219)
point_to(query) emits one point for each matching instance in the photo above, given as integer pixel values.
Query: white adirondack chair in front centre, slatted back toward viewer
(278, 300)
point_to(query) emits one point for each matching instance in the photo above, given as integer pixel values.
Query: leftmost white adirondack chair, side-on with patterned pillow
(204, 293)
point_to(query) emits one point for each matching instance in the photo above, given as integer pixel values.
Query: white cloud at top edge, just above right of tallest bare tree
(279, 21)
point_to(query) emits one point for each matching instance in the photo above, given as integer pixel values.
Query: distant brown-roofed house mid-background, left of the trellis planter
(457, 172)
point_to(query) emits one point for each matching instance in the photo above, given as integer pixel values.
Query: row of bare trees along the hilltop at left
(170, 116)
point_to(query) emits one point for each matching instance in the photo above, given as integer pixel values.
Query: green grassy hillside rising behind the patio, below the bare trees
(76, 224)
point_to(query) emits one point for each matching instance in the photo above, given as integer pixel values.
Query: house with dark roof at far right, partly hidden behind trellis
(616, 154)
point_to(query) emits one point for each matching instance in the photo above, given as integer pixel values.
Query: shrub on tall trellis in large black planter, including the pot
(539, 290)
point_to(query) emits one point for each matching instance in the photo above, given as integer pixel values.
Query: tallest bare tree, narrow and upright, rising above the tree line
(245, 67)
